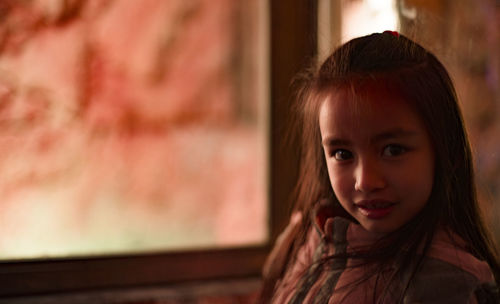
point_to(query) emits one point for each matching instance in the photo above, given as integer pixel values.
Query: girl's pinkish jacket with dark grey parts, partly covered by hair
(449, 273)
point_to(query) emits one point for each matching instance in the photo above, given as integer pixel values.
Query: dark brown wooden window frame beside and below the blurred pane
(292, 34)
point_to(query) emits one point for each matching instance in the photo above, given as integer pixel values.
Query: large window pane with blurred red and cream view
(131, 126)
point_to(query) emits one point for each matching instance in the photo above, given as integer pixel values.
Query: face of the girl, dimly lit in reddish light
(379, 157)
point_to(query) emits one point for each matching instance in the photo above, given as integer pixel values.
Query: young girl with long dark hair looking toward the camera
(386, 208)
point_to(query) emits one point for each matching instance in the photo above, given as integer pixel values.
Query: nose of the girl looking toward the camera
(369, 177)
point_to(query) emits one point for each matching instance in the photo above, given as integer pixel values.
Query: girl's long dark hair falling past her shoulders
(407, 68)
